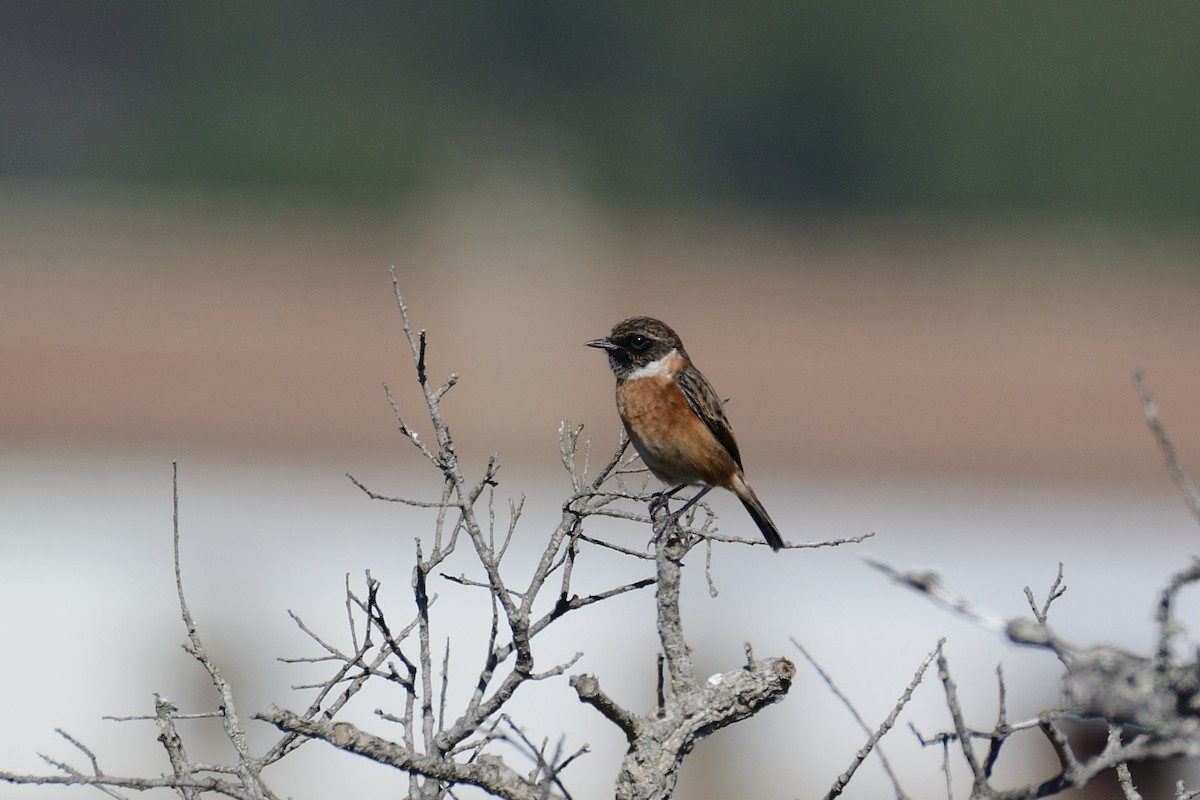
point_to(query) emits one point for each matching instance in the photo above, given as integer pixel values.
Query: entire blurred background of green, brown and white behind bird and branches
(920, 248)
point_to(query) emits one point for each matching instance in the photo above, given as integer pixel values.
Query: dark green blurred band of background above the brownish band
(1016, 109)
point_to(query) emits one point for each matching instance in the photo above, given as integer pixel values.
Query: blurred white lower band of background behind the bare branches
(92, 623)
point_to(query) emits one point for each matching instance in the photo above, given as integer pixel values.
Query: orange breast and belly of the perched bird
(674, 443)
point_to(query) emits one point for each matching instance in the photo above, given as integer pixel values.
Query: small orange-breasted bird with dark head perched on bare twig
(675, 418)
